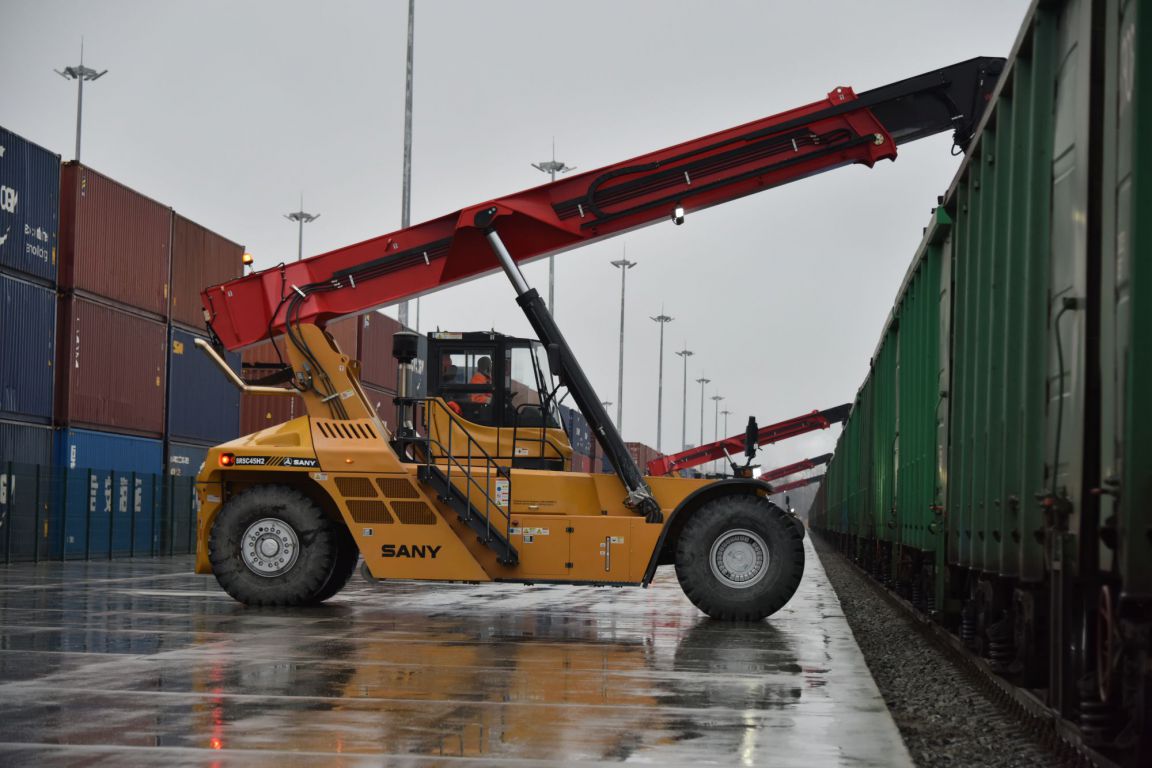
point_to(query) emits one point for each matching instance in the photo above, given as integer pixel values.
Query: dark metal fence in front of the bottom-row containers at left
(50, 513)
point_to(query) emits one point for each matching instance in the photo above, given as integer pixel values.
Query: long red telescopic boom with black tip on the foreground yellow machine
(838, 131)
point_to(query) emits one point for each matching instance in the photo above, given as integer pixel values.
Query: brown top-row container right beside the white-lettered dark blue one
(115, 242)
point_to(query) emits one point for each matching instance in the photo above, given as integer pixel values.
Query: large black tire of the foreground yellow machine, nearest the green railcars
(740, 558)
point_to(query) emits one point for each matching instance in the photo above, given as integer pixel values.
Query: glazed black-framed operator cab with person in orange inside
(504, 384)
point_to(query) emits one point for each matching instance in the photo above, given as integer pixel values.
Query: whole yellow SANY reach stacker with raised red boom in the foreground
(473, 483)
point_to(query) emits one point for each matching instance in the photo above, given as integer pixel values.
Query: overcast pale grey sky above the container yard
(229, 111)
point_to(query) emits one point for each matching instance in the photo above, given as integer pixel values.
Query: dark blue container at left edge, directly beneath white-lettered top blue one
(28, 340)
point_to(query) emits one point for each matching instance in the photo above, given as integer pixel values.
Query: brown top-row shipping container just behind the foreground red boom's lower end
(200, 258)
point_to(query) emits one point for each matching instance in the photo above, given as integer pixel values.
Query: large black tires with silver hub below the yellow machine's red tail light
(272, 546)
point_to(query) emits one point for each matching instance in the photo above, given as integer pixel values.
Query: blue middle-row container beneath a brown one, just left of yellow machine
(203, 406)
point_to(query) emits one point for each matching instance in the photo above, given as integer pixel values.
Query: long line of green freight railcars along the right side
(998, 467)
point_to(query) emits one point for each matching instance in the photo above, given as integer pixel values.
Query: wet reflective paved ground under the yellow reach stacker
(141, 663)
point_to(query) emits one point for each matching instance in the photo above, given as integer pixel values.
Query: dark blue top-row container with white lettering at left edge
(29, 208)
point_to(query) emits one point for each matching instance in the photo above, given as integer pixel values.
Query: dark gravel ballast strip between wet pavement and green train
(943, 713)
